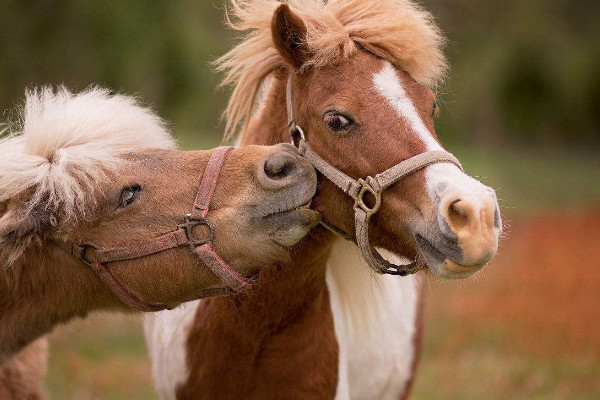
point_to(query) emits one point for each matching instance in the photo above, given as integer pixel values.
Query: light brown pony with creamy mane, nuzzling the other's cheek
(99, 168)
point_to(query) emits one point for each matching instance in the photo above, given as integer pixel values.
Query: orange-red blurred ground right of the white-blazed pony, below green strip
(528, 326)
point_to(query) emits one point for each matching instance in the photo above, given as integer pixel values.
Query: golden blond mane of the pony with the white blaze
(399, 31)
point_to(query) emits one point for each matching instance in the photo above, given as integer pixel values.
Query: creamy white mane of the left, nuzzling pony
(64, 145)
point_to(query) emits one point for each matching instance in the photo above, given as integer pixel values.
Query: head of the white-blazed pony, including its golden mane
(362, 76)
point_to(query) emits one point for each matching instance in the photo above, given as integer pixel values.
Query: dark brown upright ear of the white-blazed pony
(289, 36)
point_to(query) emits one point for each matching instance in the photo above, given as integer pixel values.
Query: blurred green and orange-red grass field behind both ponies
(526, 328)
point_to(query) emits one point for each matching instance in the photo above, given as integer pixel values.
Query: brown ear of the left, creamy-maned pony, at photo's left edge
(19, 229)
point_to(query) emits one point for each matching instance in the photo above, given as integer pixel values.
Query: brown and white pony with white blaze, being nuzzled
(362, 73)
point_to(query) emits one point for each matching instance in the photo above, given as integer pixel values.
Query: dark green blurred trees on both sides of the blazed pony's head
(522, 71)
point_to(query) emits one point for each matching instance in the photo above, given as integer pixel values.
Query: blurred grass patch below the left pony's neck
(103, 357)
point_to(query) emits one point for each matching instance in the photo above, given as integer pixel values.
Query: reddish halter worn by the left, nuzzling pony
(96, 257)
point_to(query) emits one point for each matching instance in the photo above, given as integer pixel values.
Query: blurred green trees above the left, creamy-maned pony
(160, 50)
